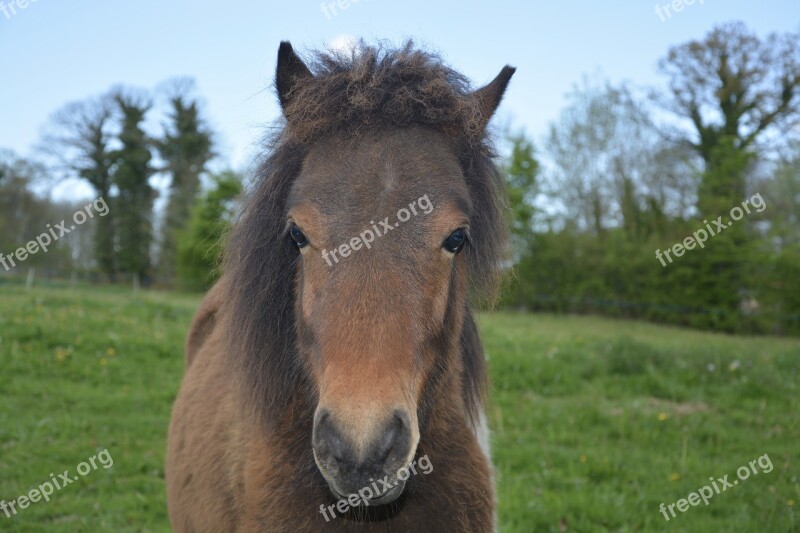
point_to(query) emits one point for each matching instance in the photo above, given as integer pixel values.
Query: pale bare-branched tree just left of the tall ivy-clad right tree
(609, 163)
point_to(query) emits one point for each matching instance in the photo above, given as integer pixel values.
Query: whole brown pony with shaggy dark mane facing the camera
(335, 377)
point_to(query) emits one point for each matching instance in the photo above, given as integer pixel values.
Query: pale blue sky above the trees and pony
(58, 52)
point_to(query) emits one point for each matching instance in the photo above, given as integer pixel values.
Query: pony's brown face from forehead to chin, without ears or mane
(381, 223)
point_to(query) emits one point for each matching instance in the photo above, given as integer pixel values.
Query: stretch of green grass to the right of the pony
(597, 422)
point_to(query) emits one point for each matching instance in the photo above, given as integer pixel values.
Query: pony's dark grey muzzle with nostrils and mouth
(351, 463)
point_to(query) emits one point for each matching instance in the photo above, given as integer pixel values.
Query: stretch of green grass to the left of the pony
(82, 371)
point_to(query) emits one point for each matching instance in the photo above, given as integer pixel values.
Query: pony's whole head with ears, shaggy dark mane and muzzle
(350, 269)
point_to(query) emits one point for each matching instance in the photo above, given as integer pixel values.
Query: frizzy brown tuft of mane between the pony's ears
(373, 86)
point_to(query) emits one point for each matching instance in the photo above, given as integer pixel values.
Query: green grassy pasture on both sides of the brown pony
(595, 422)
